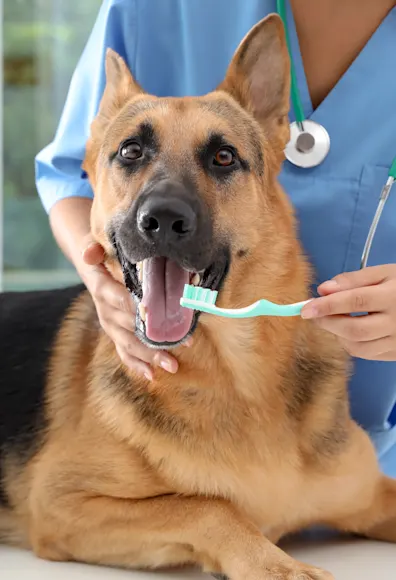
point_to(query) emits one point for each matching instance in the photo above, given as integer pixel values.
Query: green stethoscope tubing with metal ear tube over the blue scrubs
(300, 118)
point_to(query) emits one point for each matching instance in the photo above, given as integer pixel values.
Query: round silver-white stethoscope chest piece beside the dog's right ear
(309, 144)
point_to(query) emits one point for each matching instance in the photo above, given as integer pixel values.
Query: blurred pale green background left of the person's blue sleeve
(41, 43)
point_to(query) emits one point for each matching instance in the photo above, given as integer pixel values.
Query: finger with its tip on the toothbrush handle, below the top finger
(369, 299)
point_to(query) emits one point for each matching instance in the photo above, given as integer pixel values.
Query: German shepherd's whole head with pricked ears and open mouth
(185, 187)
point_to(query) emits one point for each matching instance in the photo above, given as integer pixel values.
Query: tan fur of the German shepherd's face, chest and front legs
(252, 438)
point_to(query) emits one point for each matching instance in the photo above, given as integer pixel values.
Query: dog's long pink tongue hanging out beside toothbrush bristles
(163, 285)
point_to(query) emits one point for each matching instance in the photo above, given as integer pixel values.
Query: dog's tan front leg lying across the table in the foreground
(162, 531)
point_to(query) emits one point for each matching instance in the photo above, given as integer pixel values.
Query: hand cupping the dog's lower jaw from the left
(116, 311)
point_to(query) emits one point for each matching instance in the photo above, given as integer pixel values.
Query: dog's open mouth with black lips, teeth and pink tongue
(157, 285)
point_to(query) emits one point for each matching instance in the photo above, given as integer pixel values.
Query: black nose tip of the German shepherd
(166, 219)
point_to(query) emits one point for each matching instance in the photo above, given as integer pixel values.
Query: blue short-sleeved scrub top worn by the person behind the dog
(183, 47)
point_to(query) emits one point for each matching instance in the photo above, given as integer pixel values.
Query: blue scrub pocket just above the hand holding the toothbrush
(334, 216)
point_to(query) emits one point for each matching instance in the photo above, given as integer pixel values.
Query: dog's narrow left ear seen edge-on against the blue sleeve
(120, 88)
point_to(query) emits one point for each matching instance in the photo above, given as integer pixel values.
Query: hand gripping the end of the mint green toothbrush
(371, 291)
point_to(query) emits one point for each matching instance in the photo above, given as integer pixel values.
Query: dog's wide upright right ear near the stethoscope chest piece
(258, 77)
